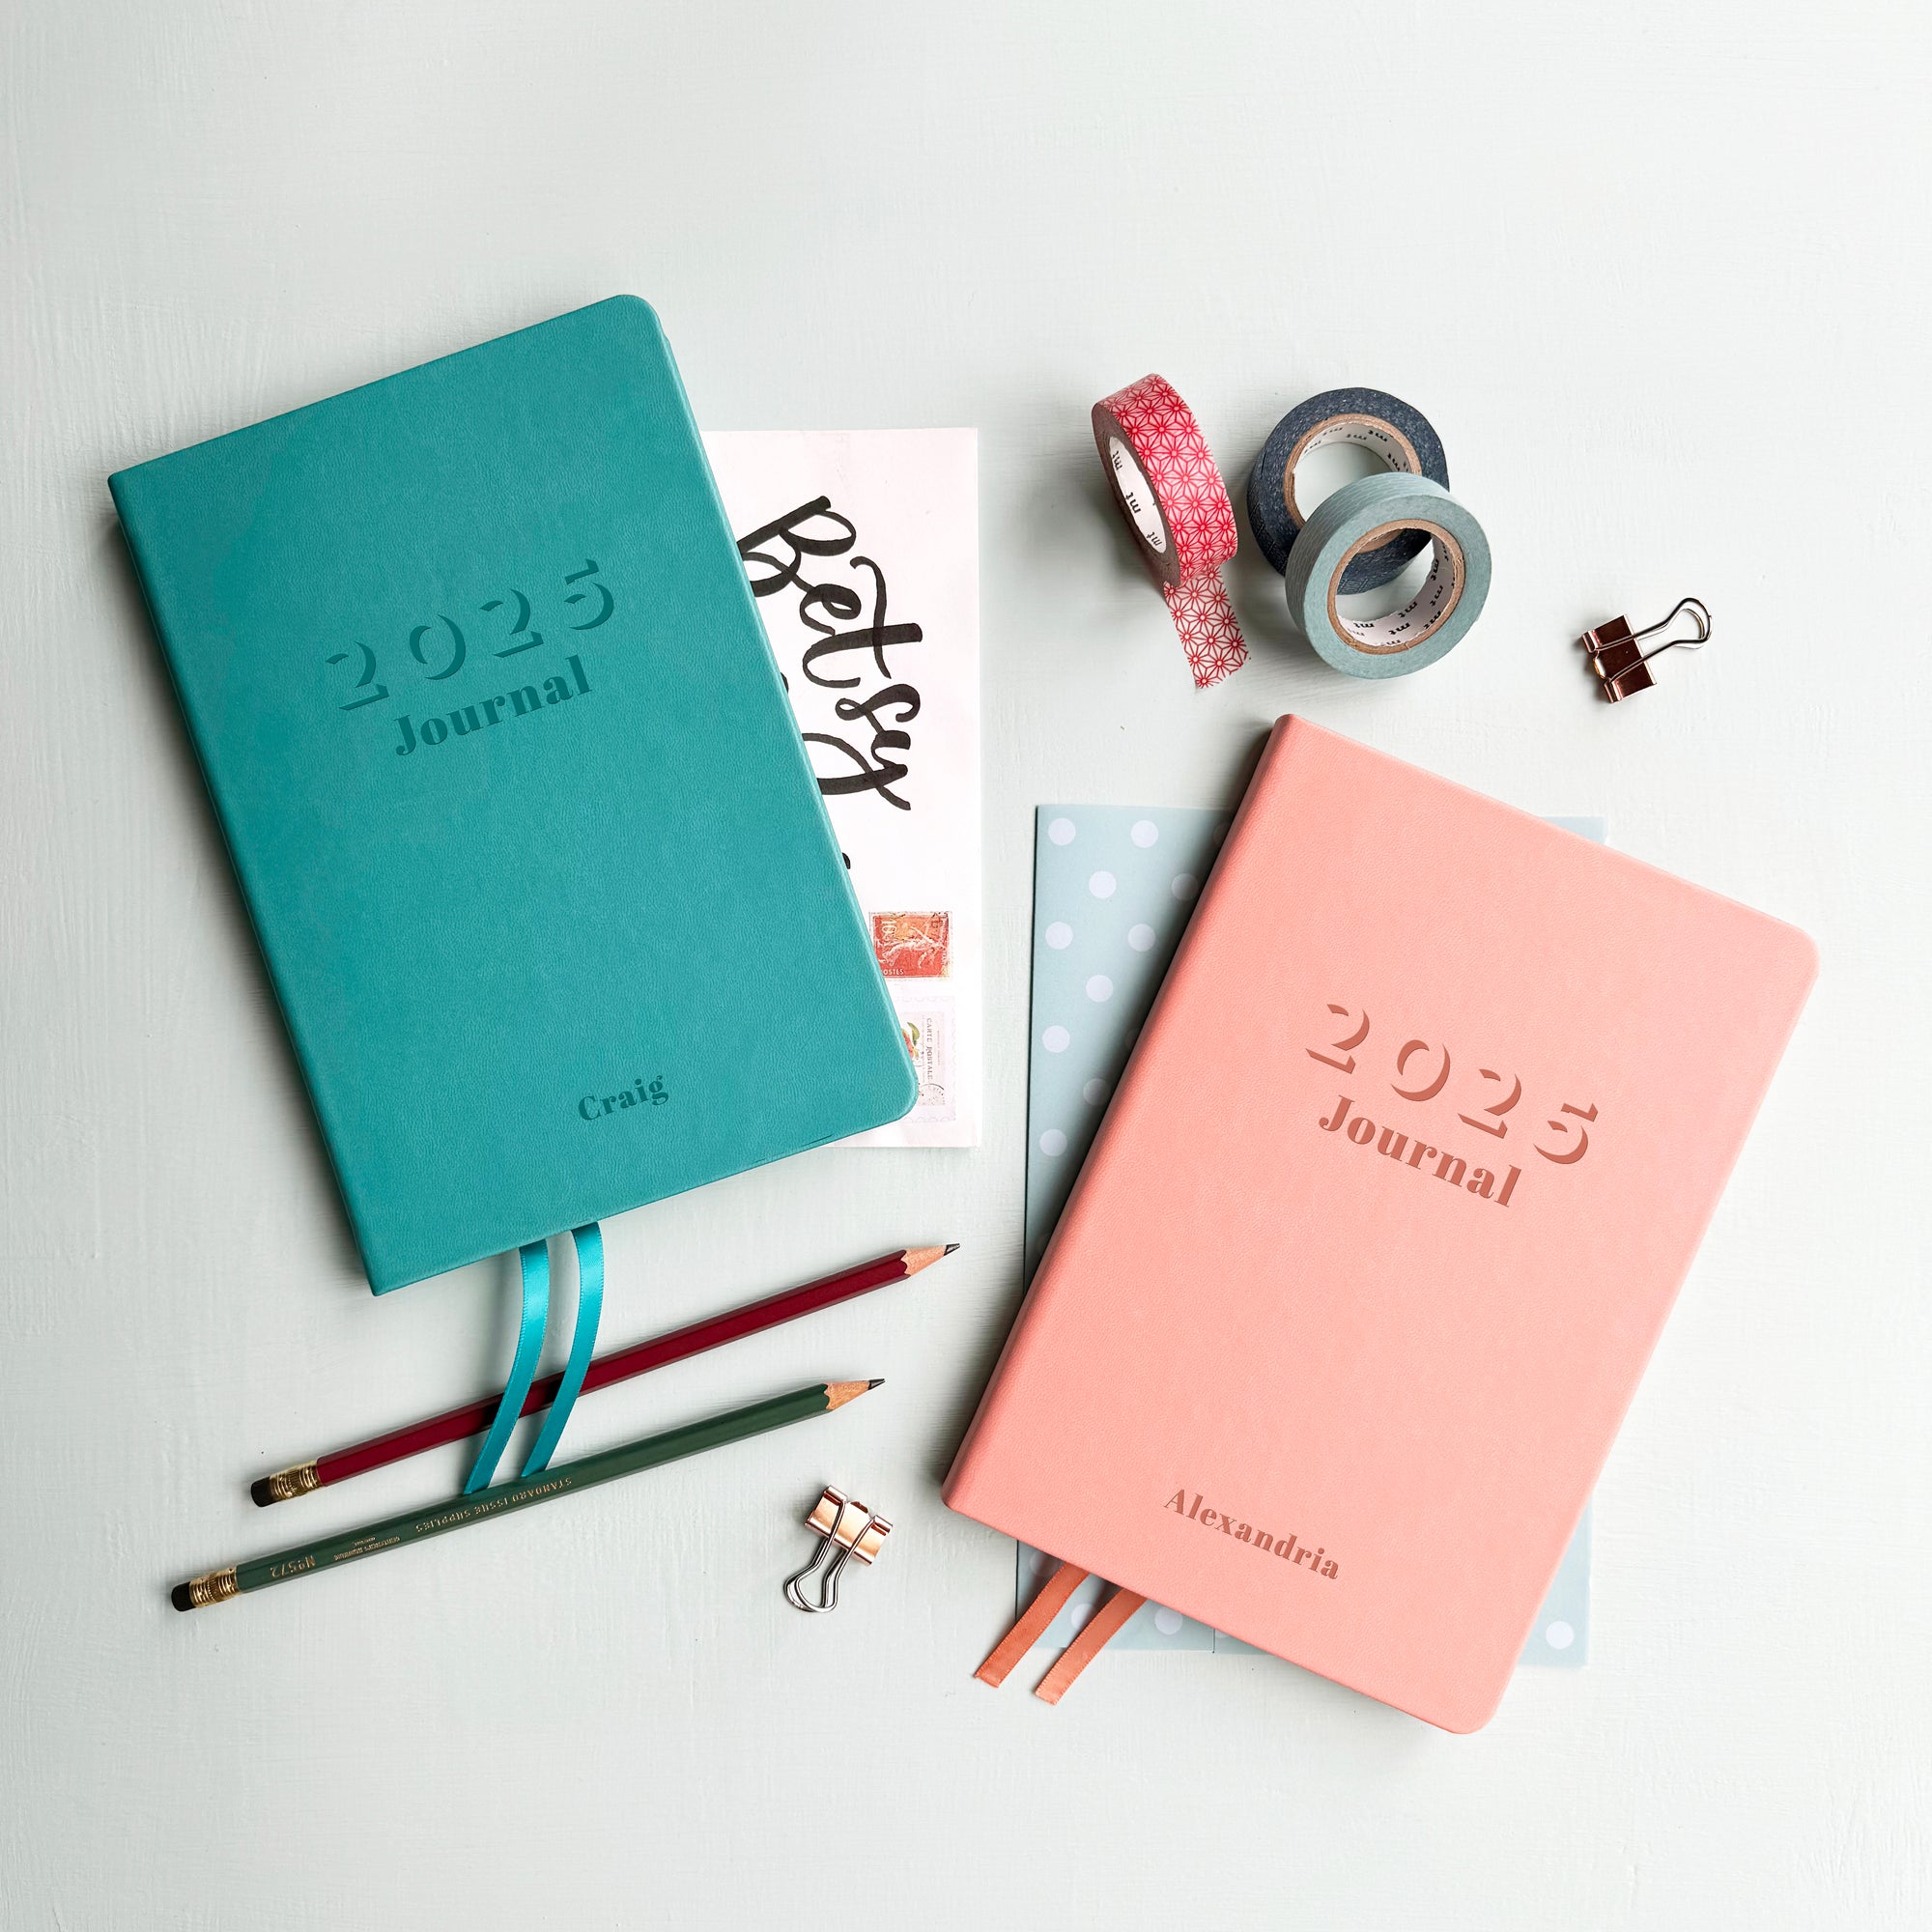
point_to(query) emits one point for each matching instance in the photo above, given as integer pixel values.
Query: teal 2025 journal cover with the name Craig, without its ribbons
(511, 783)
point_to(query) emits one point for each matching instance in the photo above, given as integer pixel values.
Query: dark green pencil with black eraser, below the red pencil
(507, 1496)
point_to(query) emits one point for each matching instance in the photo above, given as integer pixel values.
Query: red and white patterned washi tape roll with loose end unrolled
(1174, 499)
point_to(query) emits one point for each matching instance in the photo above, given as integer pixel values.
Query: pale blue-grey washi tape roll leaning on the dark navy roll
(1363, 517)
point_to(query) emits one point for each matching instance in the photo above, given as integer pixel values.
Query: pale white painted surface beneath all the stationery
(1659, 273)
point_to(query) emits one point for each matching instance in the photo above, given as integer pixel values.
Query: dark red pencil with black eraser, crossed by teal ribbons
(637, 1361)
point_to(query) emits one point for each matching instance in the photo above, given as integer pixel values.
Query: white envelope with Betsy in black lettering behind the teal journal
(865, 552)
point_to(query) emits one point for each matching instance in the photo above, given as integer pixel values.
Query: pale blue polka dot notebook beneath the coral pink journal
(1114, 888)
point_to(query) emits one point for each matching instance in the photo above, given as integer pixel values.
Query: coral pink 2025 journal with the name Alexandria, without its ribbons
(1382, 1226)
